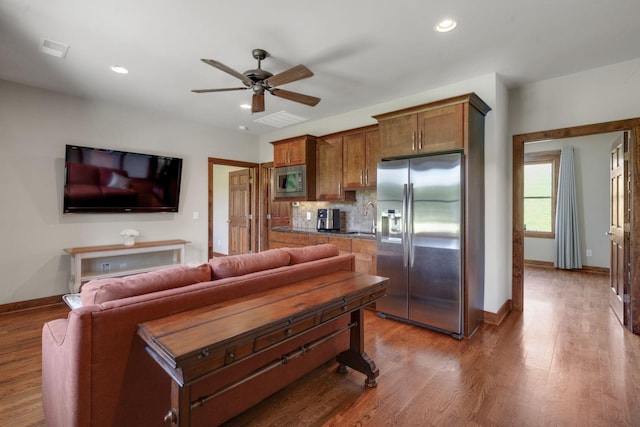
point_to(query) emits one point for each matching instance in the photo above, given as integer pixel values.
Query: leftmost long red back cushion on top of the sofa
(102, 290)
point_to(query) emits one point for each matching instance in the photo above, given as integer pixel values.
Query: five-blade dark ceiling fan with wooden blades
(260, 80)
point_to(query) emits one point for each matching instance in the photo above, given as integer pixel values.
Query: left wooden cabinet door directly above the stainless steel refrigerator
(398, 136)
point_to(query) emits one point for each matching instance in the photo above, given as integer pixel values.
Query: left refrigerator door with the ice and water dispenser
(392, 251)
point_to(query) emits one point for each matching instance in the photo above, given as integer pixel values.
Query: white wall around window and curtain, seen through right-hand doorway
(591, 156)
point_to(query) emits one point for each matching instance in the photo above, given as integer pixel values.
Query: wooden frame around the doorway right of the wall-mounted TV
(255, 194)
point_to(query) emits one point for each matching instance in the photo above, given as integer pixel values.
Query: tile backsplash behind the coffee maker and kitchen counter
(354, 212)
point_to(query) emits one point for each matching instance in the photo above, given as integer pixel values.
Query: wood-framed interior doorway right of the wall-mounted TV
(219, 220)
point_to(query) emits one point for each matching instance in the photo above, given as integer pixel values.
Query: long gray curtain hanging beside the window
(567, 234)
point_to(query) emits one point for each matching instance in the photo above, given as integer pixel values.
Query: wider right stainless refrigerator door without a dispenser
(435, 279)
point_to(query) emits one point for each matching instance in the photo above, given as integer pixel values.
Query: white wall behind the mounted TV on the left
(35, 125)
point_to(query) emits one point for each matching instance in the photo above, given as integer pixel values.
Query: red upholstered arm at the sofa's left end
(66, 376)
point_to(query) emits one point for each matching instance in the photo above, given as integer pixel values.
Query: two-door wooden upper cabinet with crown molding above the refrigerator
(430, 128)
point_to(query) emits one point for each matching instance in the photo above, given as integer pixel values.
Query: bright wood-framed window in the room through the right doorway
(540, 193)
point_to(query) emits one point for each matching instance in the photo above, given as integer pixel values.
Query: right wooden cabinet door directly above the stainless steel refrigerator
(441, 129)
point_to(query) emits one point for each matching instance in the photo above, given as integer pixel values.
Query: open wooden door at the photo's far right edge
(618, 218)
